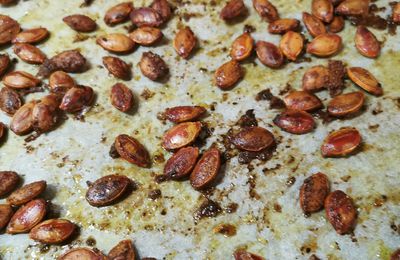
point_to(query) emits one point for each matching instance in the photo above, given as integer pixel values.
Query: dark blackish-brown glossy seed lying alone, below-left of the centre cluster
(107, 190)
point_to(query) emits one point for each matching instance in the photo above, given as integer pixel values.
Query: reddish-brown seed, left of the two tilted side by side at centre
(181, 163)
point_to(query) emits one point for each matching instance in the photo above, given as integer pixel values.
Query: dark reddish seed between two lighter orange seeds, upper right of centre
(269, 54)
